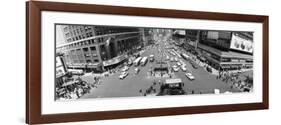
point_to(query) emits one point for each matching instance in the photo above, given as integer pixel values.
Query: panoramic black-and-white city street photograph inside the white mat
(103, 61)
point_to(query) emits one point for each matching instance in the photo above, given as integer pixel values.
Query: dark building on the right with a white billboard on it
(226, 50)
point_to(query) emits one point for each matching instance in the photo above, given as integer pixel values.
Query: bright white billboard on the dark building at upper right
(241, 44)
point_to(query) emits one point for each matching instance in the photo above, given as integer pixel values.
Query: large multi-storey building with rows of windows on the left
(95, 48)
